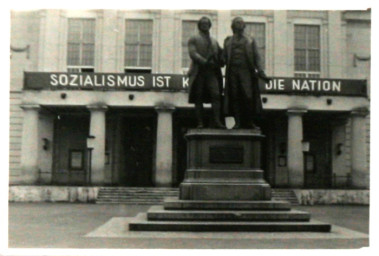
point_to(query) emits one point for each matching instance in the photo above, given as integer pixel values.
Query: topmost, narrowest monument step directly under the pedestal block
(173, 203)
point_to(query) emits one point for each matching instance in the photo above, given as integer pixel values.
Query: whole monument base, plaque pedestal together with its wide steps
(224, 190)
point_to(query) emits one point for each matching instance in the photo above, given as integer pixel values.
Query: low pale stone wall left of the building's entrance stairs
(52, 194)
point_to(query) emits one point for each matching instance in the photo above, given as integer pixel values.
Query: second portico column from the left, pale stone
(97, 130)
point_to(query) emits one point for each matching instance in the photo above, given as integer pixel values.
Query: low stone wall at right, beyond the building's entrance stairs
(332, 196)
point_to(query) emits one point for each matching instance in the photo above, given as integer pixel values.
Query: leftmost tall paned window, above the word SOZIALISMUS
(81, 45)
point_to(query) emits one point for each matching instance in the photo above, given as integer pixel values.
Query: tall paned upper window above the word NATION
(307, 51)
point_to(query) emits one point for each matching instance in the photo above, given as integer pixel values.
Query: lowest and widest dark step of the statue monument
(140, 223)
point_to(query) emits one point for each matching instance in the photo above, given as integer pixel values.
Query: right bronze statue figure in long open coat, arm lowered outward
(243, 68)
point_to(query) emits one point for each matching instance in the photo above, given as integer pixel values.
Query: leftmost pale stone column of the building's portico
(29, 147)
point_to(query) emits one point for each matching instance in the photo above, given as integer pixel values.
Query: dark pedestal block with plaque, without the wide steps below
(224, 165)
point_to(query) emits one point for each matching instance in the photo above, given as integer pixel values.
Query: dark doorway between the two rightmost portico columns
(317, 162)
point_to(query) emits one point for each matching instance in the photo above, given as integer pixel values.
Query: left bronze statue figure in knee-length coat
(205, 77)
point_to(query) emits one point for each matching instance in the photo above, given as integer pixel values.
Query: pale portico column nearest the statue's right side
(295, 159)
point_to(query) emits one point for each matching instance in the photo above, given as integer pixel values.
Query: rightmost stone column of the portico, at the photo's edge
(359, 168)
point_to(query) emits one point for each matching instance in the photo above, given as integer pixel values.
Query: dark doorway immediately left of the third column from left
(136, 156)
